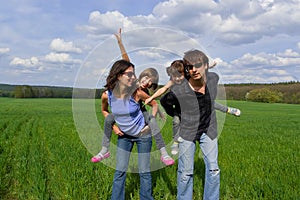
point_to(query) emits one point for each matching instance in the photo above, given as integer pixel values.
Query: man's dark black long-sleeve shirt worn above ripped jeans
(194, 108)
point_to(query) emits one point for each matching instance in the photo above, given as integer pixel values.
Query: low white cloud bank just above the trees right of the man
(260, 68)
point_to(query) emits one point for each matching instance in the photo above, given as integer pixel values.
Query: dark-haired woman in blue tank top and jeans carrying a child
(123, 96)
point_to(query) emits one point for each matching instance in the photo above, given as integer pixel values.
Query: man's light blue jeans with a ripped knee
(185, 171)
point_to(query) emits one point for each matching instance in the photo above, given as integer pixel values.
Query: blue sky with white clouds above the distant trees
(71, 42)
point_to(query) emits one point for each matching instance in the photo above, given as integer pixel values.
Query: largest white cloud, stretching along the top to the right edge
(253, 19)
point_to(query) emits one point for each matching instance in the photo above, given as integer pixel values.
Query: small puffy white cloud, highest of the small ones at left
(59, 45)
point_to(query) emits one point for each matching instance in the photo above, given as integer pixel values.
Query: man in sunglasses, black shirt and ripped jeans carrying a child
(194, 100)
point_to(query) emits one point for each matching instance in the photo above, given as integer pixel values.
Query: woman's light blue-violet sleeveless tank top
(127, 114)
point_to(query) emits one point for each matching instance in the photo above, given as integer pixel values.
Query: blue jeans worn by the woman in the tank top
(125, 145)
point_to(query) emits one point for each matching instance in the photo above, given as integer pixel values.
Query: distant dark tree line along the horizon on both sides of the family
(288, 92)
